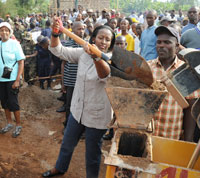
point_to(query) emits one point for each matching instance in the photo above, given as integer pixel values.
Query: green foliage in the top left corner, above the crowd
(23, 7)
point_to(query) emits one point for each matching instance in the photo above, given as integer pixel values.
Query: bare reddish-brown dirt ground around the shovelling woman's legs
(37, 148)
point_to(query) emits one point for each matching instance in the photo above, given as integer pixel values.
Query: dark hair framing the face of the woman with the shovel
(96, 31)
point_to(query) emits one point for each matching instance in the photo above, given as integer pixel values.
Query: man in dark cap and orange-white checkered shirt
(171, 120)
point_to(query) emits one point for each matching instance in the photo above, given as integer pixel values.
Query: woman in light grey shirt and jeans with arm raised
(90, 107)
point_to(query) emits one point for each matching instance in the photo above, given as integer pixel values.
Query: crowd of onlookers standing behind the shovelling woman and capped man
(34, 31)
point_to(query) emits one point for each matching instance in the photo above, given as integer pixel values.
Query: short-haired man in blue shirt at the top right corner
(193, 19)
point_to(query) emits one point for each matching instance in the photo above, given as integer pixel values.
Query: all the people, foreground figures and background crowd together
(156, 37)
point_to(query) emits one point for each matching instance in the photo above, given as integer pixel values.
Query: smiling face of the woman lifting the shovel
(103, 39)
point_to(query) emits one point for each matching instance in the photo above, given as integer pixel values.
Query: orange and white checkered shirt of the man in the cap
(168, 120)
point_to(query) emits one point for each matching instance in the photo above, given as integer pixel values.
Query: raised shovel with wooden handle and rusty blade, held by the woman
(123, 62)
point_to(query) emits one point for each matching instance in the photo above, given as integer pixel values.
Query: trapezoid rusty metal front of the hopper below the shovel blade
(133, 107)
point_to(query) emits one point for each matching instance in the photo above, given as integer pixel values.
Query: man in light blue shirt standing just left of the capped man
(148, 38)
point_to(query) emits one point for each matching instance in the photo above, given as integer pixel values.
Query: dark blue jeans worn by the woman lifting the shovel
(93, 141)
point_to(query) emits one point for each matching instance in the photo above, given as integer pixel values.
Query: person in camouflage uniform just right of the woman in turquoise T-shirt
(30, 67)
